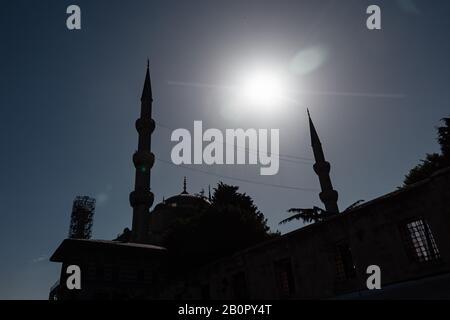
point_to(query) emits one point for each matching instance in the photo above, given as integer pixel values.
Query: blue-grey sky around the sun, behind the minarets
(69, 100)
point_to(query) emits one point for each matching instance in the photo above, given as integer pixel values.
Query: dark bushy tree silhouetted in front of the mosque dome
(231, 223)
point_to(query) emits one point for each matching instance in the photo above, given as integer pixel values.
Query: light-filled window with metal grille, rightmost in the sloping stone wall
(419, 241)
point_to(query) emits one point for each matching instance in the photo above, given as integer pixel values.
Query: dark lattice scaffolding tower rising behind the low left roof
(82, 217)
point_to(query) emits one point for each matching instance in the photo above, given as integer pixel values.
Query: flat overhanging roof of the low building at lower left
(70, 247)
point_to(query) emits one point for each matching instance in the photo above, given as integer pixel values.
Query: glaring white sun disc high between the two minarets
(262, 90)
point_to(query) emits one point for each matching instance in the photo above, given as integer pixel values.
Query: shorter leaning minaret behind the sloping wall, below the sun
(328, 195)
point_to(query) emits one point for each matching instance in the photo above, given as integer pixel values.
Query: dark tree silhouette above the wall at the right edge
(435, 161)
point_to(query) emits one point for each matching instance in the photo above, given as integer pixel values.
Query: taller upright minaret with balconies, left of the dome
(141, 199)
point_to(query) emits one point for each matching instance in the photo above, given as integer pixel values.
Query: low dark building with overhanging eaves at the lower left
(110, 270)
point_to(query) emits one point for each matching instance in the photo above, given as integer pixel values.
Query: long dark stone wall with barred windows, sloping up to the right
(405, 233)
